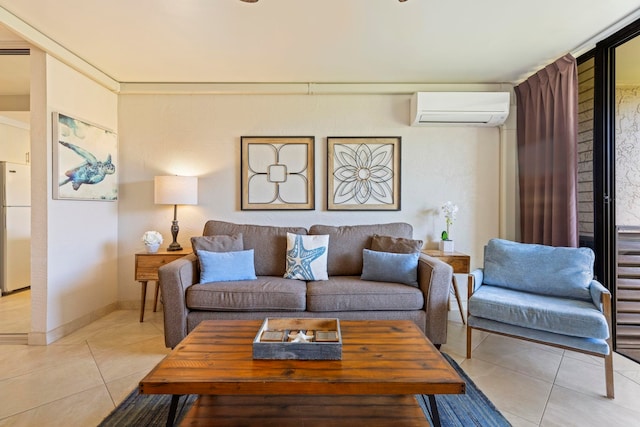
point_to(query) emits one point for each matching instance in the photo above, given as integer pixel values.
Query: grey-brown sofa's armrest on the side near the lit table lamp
(175, 278)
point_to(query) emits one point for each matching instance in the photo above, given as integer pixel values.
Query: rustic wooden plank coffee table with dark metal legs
(384, 364)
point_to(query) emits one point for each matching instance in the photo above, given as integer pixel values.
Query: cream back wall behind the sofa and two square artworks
(200, 135)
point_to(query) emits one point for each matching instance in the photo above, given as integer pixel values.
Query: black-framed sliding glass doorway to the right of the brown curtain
(614, 121)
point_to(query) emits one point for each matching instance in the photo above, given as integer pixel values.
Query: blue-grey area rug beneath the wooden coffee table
(464, 410)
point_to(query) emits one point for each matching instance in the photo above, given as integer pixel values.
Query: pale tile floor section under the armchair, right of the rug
(537, 385)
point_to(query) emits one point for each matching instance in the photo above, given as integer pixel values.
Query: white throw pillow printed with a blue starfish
(307, 257)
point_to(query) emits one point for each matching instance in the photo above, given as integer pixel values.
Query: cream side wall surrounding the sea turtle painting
(74, 257)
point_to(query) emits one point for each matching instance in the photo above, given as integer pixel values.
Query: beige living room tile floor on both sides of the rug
(79, 379)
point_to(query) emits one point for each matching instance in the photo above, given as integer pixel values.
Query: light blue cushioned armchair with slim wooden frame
(542, 294)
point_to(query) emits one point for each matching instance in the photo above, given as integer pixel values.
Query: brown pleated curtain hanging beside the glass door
(547, 108)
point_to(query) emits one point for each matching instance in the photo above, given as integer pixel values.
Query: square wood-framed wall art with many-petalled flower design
(363, 173)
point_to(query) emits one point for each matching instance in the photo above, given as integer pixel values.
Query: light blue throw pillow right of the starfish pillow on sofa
(390, 267)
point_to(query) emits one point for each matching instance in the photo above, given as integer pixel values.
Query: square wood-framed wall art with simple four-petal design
(277, 173)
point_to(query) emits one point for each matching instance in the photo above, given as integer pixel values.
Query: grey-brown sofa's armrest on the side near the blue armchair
(434, 279)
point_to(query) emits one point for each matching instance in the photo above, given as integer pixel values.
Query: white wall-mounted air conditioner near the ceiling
(459, 108)
